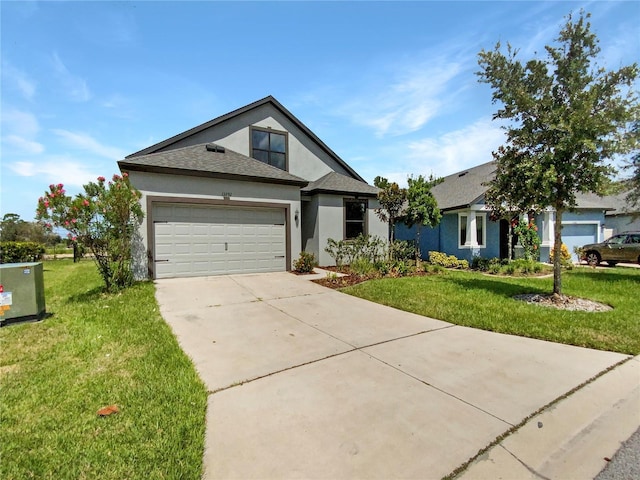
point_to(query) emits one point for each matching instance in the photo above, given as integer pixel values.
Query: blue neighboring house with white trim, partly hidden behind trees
(466, 229)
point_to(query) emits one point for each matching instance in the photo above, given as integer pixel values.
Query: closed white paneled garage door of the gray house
(195, 240)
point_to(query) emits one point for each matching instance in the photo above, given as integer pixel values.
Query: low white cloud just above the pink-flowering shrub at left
(55, 169)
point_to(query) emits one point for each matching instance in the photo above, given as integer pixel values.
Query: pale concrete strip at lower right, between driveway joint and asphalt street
(571, 436)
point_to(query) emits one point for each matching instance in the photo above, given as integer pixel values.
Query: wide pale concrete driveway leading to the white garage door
(307, 382)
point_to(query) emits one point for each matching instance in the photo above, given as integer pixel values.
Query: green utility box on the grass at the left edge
(21, 292)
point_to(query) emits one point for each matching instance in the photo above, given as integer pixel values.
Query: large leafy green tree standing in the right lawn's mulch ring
(566, 119)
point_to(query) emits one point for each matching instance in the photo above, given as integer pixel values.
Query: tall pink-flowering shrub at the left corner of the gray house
(103, 219)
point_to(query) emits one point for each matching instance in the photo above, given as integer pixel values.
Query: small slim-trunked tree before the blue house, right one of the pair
(422, 208)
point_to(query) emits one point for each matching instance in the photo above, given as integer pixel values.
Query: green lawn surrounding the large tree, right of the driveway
(485, 302)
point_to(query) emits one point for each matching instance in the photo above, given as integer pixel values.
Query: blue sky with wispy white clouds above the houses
(389, 86)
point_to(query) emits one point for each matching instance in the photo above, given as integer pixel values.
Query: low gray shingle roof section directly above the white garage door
(197, 160)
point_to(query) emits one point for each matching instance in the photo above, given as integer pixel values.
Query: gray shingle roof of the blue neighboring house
(467, 187)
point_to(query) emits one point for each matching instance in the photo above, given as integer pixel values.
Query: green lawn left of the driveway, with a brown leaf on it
(94, 350)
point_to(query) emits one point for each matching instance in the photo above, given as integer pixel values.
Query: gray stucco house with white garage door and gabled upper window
(245, 192)
